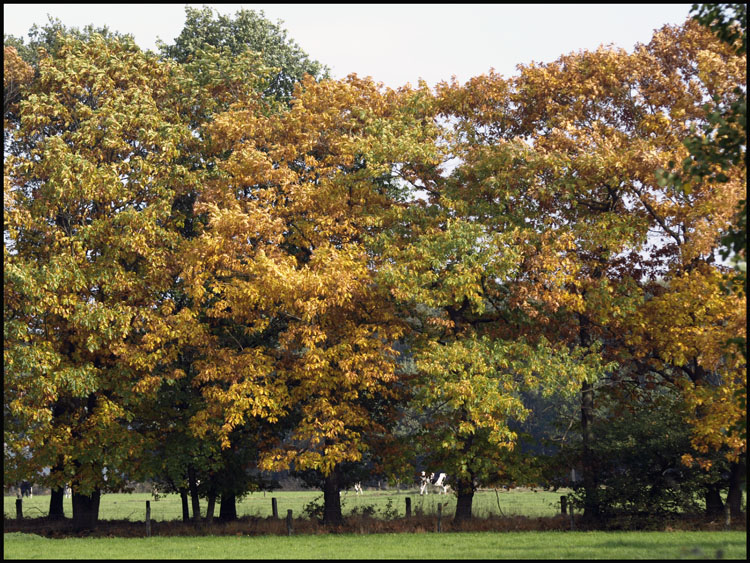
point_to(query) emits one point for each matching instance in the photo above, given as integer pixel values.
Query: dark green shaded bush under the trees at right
(637, 459)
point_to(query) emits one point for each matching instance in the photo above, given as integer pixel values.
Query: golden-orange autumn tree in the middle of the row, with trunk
(284, 258)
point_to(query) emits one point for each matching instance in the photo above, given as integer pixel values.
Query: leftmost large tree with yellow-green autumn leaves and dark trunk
(89, 240)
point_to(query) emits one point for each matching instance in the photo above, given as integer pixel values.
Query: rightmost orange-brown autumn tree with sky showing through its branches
(648, 285)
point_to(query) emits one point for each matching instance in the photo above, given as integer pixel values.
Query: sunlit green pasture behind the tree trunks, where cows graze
(168, 507)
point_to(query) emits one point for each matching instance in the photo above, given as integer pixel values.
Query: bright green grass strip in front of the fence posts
(484, 545)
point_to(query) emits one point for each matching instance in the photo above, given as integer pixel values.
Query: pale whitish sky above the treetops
(396, 43)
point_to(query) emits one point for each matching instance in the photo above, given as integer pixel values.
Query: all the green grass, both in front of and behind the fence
(309, 542)
